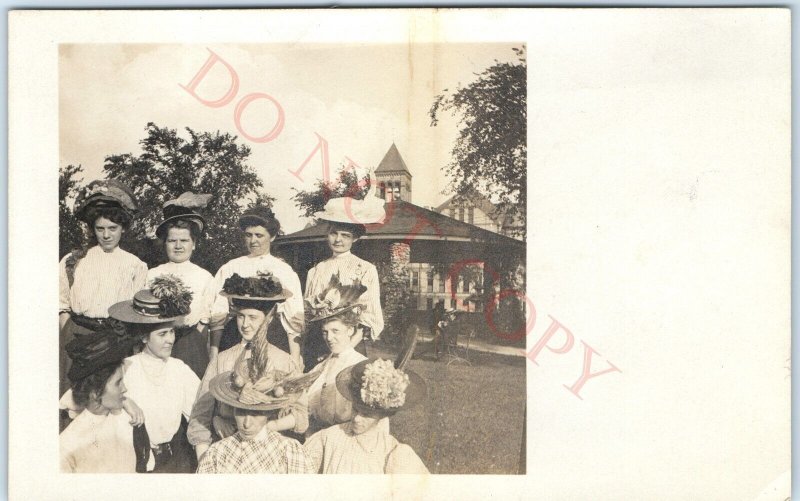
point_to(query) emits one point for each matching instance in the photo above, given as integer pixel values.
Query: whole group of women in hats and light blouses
(175, 370)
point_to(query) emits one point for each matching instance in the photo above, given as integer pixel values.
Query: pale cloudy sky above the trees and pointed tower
(360, 98)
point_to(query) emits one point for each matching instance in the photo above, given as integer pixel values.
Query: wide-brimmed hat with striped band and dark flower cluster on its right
(167, 300)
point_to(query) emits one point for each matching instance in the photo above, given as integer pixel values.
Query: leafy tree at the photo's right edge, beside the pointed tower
(489, 154)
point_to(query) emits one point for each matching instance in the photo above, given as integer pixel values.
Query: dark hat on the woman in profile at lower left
(96, 350)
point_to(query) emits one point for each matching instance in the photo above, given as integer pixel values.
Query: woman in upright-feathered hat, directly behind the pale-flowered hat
(338, 313)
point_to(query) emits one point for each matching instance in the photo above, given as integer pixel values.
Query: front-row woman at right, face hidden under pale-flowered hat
(364, 445)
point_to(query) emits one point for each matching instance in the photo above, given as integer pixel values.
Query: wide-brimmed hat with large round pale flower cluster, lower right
(377, 387)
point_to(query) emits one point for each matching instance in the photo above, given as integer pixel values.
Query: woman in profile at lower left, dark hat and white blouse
(100, 439)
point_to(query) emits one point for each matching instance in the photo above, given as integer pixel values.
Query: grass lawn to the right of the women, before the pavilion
(472, 418)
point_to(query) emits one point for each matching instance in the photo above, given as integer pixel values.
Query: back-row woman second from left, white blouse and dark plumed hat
(179, 232)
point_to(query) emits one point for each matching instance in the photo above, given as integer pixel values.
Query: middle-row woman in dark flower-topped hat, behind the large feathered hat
(254, 301)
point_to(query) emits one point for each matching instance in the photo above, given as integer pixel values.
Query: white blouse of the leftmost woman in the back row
(101, 280)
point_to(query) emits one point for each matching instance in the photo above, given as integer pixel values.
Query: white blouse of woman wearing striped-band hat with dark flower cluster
(164, 390)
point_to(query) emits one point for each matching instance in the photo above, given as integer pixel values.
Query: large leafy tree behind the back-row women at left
(205, 163)
